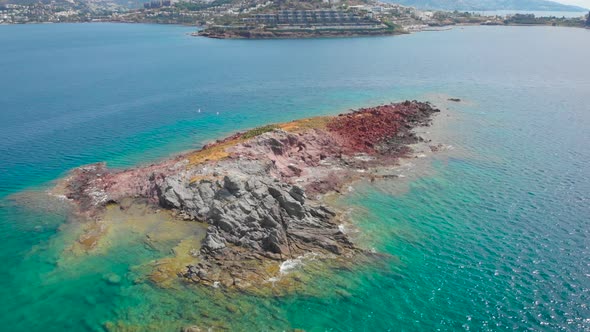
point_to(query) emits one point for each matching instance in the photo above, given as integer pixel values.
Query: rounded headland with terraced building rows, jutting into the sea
(297, 19)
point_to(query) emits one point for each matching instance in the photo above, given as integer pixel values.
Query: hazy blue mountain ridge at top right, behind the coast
(482, 5)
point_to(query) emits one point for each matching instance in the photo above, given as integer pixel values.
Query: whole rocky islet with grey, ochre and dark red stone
(260, 192)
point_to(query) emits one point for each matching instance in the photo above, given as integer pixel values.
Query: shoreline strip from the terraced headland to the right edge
(313, 24)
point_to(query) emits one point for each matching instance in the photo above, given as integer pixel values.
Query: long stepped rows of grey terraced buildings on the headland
(306, 17)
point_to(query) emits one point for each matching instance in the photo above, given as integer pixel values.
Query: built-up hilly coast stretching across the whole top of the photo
(267, 18)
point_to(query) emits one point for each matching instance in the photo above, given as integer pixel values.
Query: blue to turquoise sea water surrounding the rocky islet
(491, 234)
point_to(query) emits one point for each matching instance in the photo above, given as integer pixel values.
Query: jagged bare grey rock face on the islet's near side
(258, 213)
